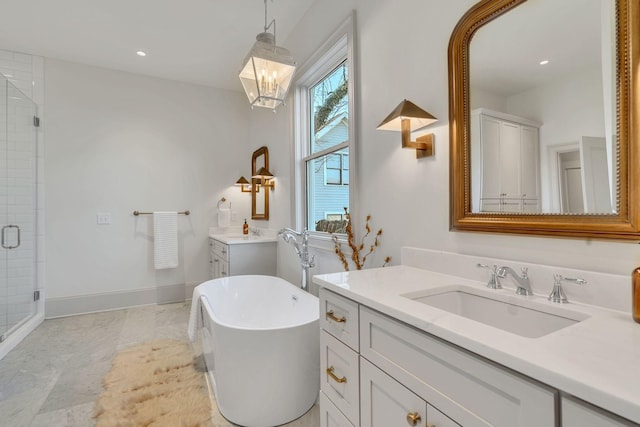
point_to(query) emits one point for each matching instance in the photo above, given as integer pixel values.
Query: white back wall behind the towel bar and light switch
(119, 142)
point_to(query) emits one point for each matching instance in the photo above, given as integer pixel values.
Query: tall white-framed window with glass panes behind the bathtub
(325, 136)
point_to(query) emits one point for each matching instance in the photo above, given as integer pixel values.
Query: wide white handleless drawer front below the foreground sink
(469, 389)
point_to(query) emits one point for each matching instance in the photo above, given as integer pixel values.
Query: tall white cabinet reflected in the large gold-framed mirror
(505, 163)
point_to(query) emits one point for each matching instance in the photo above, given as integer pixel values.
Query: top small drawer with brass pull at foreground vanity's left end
(339, 317)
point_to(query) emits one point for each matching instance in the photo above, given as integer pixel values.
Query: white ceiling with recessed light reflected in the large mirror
(505, 54)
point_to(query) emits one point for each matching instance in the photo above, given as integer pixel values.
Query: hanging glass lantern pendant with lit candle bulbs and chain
(268, 70)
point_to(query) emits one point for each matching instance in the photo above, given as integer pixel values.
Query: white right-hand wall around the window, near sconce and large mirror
(403, 54)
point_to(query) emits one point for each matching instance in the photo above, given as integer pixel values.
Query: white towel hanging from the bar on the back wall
(165, 235)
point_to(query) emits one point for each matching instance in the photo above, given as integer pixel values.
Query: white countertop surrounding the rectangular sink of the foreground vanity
(597, 359)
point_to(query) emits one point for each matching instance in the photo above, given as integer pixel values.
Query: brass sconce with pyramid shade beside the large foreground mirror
(406, 118)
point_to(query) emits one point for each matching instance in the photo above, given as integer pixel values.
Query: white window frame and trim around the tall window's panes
(340, 47)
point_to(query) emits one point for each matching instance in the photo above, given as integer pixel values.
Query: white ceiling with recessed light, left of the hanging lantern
(196, 41)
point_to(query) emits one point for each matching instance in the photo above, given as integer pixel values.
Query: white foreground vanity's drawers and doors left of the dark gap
(408, 376)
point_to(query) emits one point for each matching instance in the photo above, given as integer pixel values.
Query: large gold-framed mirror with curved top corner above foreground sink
(494, 190)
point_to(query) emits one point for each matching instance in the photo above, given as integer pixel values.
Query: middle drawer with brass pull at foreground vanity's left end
(339, 379)
